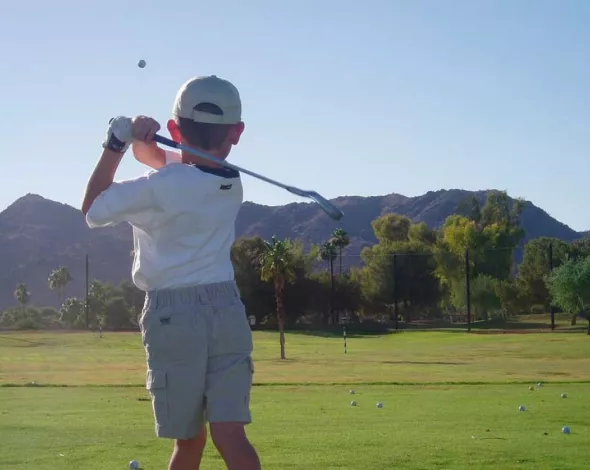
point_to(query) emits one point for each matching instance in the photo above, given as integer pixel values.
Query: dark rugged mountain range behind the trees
(37, 235)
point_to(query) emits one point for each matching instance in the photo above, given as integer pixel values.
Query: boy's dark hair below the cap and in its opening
(204, 135)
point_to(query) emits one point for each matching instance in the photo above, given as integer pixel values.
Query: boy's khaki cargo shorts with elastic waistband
(198, 345)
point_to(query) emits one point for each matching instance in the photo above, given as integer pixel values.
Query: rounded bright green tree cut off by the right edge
(569, 285)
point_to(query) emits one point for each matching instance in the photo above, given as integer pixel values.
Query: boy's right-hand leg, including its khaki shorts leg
(229, 381)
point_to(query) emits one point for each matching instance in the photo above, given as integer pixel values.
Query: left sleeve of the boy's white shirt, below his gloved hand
(121, 200)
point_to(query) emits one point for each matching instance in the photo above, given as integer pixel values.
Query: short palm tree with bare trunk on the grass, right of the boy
(277, 264)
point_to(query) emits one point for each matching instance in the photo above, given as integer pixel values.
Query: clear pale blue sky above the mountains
(344, 97)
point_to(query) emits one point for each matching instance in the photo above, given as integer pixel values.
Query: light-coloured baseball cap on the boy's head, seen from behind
(213, 90)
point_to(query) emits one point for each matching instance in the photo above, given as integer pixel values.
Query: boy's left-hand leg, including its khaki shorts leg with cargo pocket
(175, 337)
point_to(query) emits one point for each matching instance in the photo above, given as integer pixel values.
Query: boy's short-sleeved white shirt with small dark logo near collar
(183, 220)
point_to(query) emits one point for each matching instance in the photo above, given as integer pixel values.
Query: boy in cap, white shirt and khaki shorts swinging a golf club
(194, 327)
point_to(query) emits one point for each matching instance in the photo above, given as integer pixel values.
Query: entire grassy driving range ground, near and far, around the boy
(450, 401)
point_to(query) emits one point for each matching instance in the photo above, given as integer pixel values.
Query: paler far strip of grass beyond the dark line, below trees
(409, 357)
